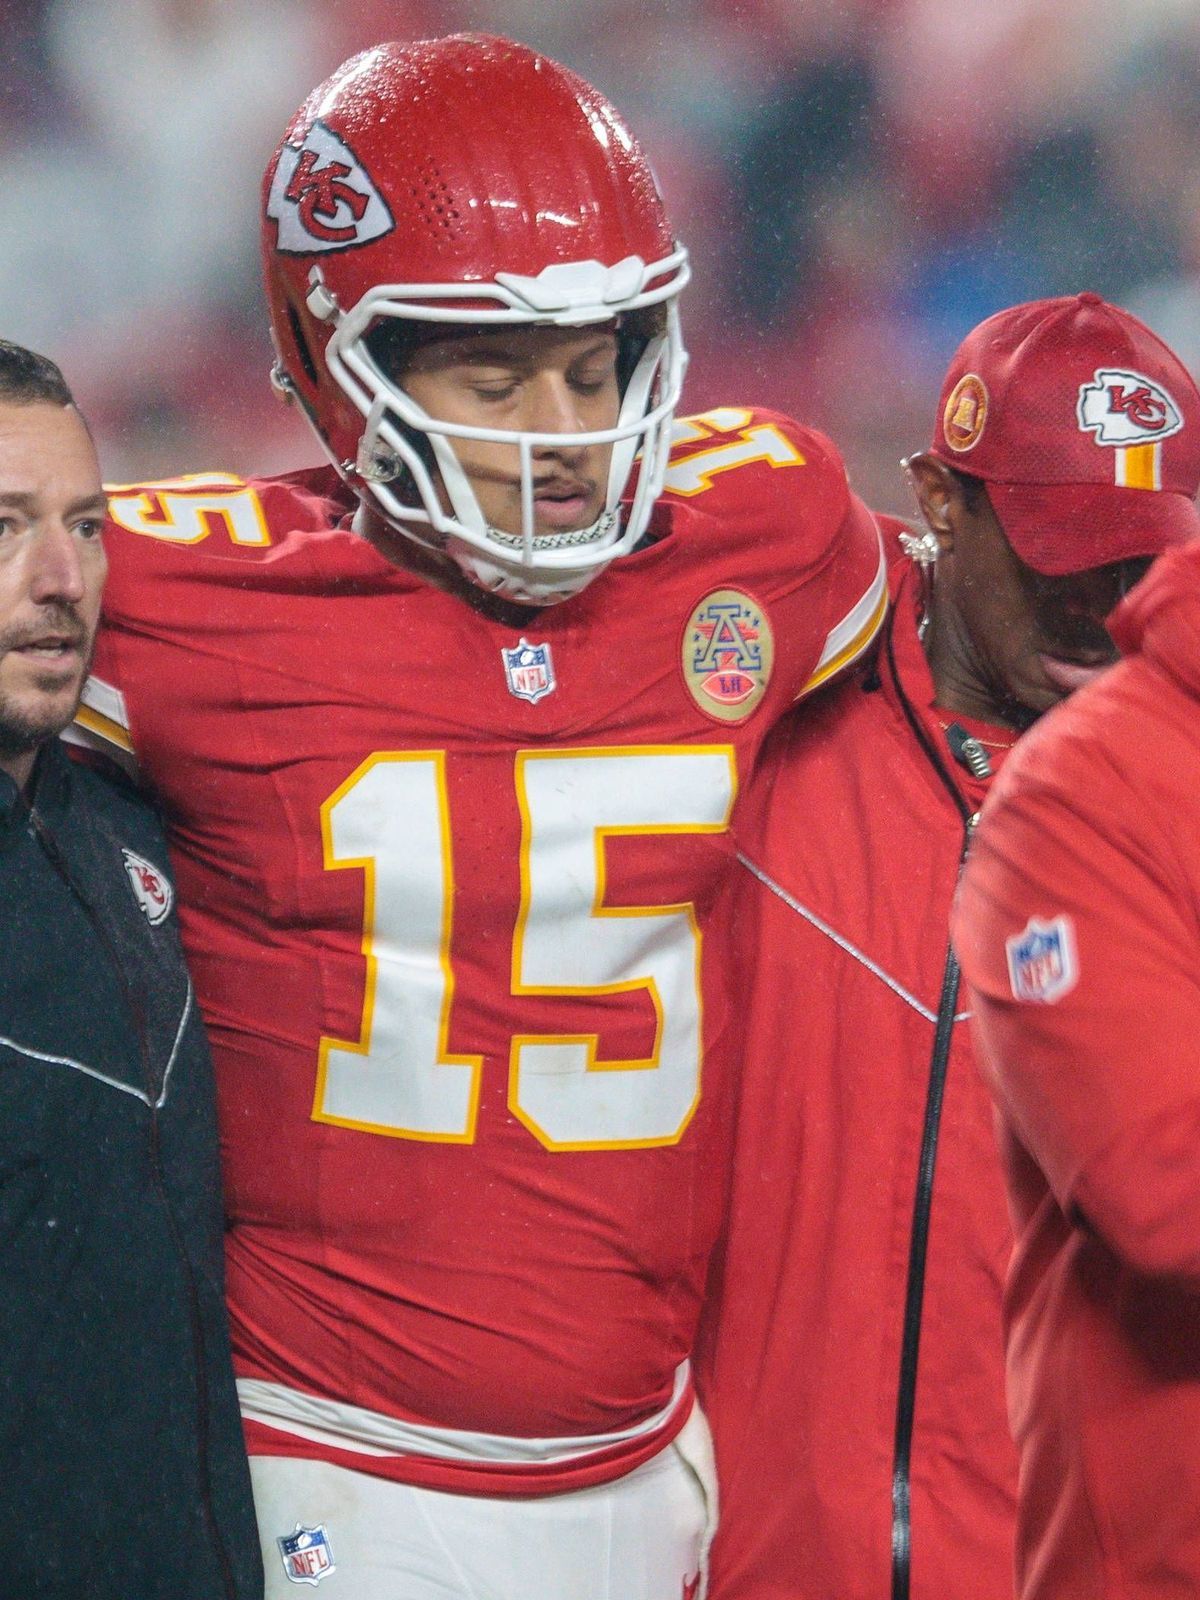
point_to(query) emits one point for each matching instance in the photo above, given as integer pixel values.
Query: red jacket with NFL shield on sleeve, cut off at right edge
(1095, 833)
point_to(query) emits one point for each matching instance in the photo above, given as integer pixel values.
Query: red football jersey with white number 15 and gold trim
(444, 889)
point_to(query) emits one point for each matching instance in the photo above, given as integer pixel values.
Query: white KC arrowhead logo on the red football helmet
(324, 199)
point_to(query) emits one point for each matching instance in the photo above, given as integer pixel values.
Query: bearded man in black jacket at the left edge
(122, 1470)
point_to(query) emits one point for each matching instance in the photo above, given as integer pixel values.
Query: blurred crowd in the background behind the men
(860, 182)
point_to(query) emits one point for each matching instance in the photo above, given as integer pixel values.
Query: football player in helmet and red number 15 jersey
(449, 735)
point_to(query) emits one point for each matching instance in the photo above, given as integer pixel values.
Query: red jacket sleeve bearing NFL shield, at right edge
(1095, 1054)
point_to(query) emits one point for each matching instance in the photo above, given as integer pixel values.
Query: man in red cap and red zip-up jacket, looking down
(854, 1358)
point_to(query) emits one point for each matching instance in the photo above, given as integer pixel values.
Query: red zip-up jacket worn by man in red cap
(852, 842)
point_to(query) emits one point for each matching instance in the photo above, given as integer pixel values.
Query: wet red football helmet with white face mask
(470, 182)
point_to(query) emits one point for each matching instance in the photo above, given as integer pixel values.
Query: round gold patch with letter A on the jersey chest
(729, 652)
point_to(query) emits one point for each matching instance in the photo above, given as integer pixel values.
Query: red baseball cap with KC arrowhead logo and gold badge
(1084, 426)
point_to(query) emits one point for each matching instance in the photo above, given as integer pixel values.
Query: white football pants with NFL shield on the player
(642, 1538)
